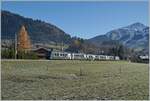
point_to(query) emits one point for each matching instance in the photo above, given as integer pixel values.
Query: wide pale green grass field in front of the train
(74, 80)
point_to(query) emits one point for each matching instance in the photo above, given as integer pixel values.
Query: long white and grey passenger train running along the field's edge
(80, 56)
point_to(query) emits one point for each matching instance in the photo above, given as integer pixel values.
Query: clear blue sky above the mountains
(83, 19)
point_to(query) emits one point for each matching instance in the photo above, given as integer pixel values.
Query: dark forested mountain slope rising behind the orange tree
(39, 31)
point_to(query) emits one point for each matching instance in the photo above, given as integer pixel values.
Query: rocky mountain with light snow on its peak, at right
(133, 36)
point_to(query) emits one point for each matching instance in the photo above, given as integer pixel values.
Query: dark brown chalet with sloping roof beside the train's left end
(43, 53)
